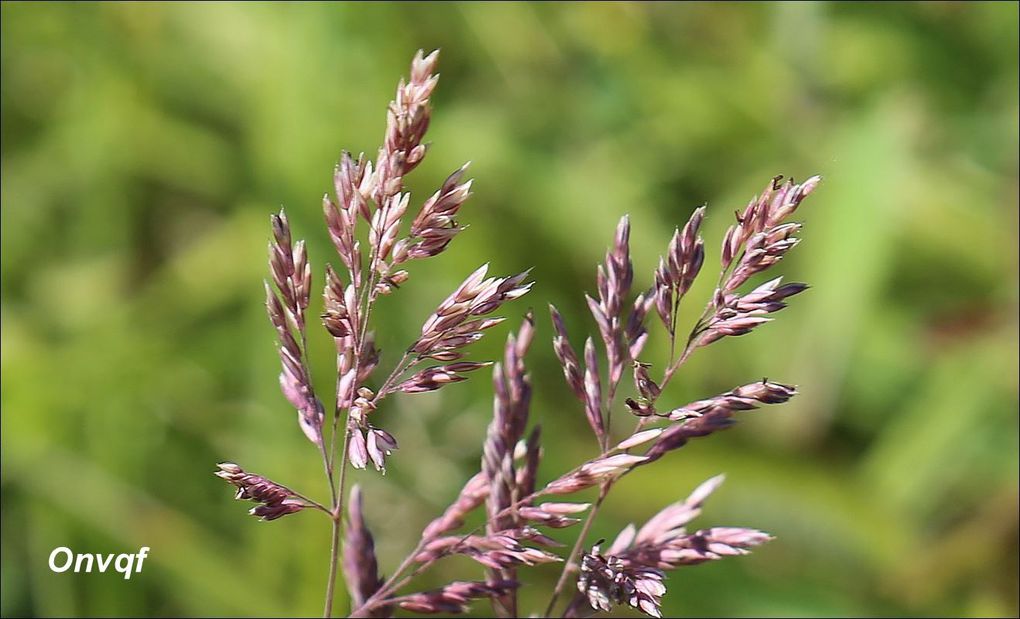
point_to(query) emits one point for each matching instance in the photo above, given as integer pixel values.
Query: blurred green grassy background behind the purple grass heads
(144, 146)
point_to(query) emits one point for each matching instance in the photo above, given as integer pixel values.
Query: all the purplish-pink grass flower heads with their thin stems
(632, 571)
